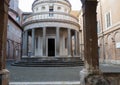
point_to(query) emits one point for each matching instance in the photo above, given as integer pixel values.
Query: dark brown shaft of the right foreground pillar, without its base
(90, 35)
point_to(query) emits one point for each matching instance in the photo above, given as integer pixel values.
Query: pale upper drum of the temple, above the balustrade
(58, 5)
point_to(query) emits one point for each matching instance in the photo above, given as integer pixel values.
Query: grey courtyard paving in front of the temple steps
(44, 74)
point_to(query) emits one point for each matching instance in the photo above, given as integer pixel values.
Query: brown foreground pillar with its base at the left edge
(3, 36)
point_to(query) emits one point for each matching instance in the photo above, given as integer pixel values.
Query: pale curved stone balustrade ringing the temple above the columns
(44, 16)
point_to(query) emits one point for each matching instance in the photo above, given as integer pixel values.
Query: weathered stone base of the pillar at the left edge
(4, 77)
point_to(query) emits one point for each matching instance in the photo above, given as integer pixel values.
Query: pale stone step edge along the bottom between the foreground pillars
(47, 83)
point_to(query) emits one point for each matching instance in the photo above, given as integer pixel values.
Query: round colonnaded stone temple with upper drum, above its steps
(50, 31)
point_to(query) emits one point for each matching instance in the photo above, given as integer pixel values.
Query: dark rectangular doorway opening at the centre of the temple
(51, 47)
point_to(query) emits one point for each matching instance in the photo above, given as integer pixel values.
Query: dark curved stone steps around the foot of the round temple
(57, 62)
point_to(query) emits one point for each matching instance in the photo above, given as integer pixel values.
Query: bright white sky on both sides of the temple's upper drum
(25, 5)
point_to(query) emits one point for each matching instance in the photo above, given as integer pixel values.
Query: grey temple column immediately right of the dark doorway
(57, 41)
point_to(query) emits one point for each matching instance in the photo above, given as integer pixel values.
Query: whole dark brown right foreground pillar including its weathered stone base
(91, 74)
